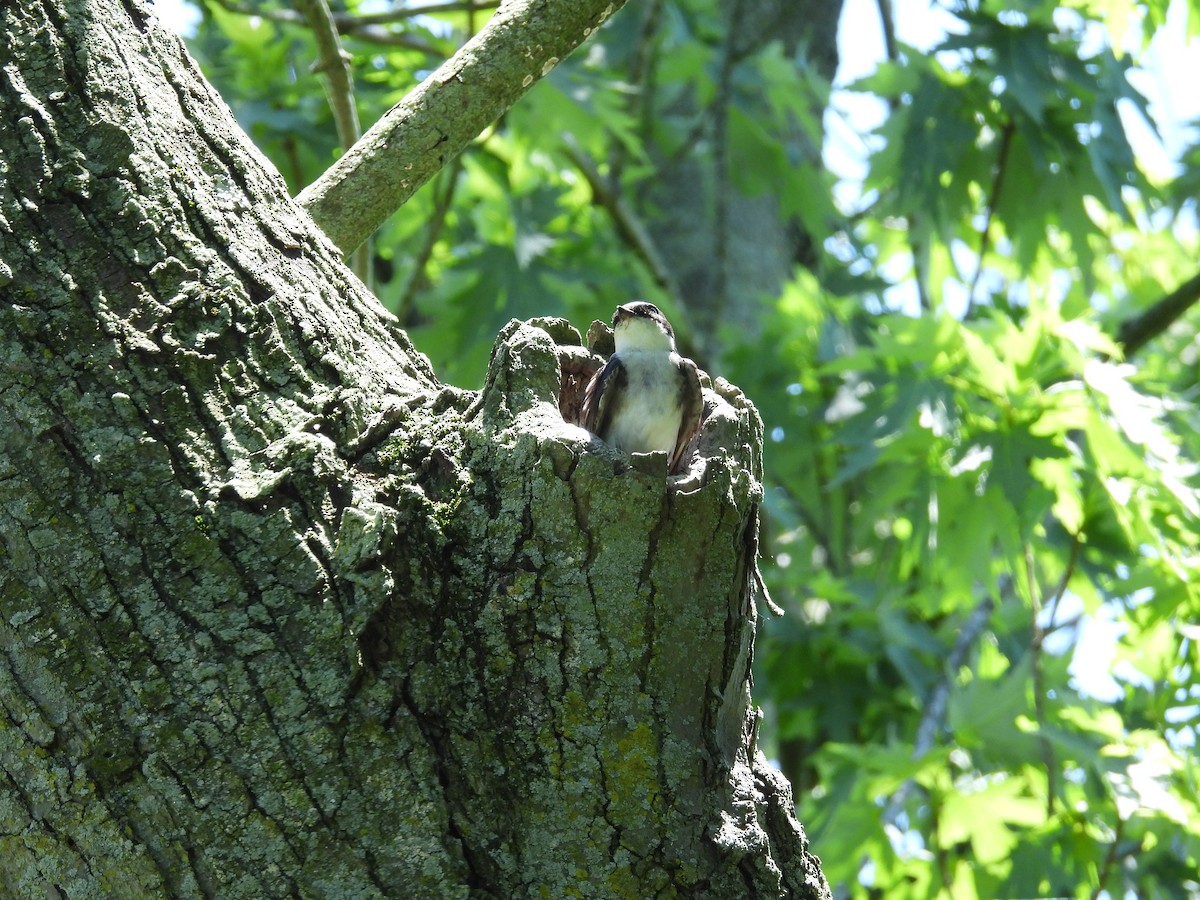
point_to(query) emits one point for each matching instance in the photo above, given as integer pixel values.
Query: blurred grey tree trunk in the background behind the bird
(740, 248)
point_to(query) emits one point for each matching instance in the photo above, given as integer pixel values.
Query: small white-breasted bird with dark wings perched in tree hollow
(646, 398)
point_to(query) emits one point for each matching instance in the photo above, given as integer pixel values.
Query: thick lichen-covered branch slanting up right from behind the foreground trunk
(440, 118)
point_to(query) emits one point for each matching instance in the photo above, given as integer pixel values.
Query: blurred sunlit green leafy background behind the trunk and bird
(982, 507)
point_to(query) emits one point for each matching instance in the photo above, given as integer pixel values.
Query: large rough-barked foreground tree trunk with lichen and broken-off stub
(280, 615)
